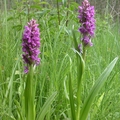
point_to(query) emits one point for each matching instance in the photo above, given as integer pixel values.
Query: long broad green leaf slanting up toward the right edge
(96, 88)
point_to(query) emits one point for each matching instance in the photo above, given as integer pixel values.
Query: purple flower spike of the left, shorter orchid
(31, 44)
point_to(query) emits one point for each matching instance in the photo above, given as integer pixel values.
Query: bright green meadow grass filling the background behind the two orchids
(51, 74)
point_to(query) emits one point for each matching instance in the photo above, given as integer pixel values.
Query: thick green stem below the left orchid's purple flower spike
(29, 96)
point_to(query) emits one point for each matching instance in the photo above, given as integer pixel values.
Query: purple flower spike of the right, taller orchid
(86, 18)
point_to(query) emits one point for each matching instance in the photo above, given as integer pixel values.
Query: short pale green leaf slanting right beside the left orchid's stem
(45, 107)
